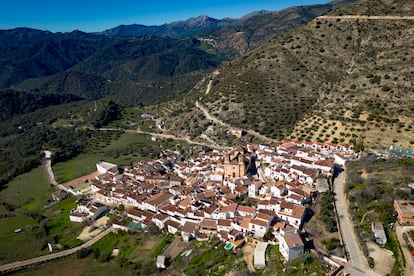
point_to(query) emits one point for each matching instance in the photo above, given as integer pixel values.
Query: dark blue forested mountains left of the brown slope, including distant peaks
(134, 62)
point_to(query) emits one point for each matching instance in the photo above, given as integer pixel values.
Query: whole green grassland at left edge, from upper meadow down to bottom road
(22, 202)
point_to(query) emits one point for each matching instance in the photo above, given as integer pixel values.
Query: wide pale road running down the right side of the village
(357, 263)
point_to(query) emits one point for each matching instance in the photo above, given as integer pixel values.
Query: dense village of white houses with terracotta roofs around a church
(252, 193)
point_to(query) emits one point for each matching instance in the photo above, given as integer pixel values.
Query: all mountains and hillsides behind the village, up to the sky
(286, 74)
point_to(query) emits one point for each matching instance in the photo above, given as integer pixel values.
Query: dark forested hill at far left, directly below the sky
(27, 53)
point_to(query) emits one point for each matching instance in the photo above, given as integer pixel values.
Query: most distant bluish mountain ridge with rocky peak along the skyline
(234, 35)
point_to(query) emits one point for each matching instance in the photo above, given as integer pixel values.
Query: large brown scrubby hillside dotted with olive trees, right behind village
(333, 79)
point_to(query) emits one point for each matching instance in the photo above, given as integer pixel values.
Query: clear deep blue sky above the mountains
(98, 15)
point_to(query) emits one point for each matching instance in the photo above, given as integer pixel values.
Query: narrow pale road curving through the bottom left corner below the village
(21, 264)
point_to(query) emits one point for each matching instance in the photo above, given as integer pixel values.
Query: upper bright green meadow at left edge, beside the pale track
(29, 191)
